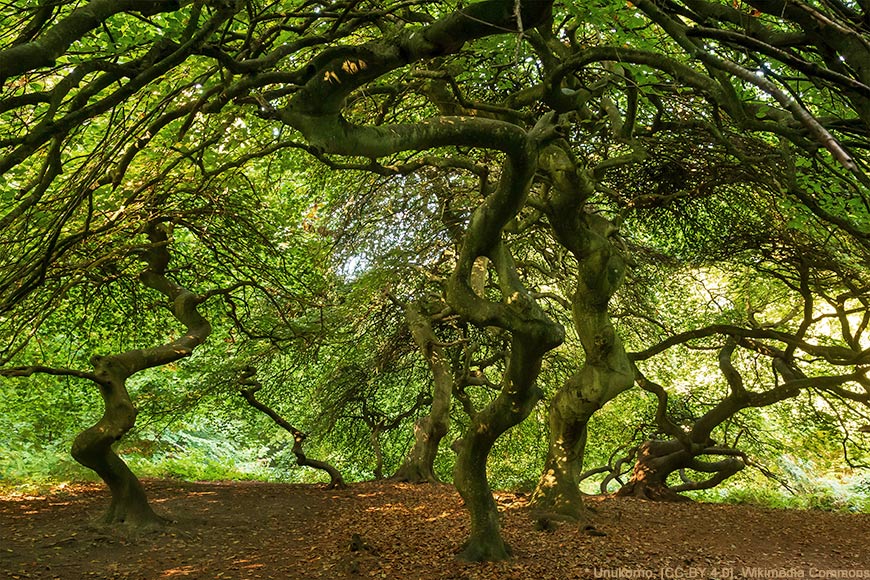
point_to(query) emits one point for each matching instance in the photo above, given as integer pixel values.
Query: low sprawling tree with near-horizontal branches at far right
(792, 341)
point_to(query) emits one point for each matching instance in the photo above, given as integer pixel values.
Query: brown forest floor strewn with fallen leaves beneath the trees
(263, 530)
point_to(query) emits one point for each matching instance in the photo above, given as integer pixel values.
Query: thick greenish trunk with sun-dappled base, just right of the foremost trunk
(607, 371)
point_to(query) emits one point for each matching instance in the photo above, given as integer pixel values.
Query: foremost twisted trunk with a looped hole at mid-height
(533, 334)
